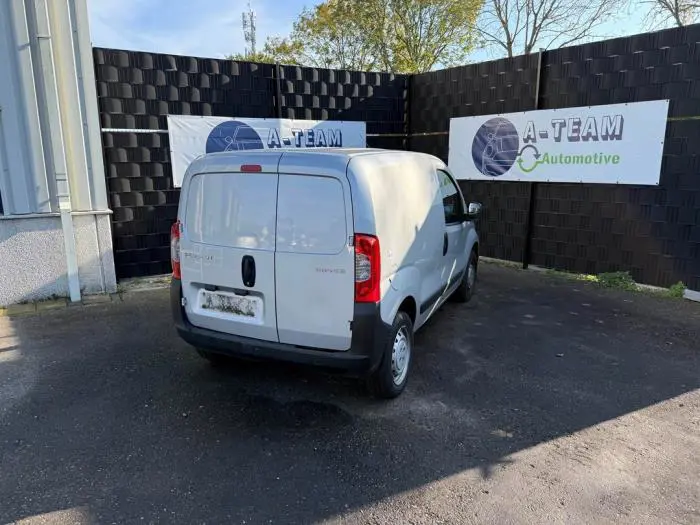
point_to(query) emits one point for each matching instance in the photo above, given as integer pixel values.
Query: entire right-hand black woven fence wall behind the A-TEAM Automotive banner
(651, 231)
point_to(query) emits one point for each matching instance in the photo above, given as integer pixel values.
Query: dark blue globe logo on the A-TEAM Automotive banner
(495, 147)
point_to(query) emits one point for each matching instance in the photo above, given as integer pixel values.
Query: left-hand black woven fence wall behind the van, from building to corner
(138, 90)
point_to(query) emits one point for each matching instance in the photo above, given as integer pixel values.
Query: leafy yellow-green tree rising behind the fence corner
(400, 36)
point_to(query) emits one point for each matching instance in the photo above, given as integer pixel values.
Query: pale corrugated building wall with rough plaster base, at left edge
(55, 232)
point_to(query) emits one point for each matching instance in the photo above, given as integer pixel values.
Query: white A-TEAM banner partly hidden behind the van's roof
(192, 136)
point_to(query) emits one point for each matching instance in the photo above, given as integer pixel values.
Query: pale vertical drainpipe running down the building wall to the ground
(39, 26)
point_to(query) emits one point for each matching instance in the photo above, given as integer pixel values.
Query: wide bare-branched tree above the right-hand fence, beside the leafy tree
(523, 26)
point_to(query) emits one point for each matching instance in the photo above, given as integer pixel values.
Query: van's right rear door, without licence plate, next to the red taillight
(315, 258)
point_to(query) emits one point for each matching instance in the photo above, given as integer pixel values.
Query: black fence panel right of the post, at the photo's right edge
(650, 231)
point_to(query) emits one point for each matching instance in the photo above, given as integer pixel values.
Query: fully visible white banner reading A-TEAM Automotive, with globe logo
(616, 143)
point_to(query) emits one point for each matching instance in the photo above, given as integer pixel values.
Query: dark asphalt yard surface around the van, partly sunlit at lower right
(542, 400)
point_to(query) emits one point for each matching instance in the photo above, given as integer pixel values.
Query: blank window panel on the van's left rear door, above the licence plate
(232, 209)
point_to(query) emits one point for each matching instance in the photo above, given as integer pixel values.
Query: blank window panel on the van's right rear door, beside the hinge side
(311, 215)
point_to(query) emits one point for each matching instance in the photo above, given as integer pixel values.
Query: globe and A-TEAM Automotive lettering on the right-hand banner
(496, 147)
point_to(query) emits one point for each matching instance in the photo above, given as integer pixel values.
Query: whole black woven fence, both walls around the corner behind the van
(653, 232)
